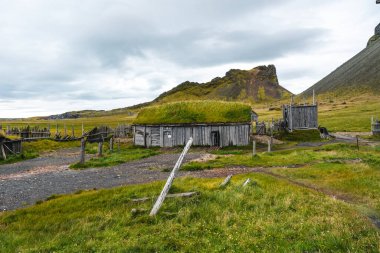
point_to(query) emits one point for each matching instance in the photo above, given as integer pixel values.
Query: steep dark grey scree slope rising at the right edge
(359, 75)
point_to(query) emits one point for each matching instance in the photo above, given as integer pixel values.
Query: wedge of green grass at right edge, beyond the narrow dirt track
(349, 172)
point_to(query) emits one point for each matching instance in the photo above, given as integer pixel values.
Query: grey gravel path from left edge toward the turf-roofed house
(26, 182)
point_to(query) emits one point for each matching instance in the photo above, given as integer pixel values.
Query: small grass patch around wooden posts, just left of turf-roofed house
(126, 153)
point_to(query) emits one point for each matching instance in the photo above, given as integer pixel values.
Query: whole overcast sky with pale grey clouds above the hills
(58, 56)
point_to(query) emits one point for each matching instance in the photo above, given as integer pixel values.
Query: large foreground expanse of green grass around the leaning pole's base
(272, 216)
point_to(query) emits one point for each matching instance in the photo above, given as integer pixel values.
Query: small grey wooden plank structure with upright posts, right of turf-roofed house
(300, 117)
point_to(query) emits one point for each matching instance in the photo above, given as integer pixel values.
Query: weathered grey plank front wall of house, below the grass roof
(178, 135)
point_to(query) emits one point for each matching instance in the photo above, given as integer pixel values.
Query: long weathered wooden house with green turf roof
(209, 123)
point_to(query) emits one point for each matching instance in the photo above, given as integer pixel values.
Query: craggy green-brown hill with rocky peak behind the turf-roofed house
(256, 85)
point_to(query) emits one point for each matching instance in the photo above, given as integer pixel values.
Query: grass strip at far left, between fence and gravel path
(36, 148)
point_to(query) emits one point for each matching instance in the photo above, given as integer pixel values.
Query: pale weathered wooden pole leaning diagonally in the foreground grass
(169, 182)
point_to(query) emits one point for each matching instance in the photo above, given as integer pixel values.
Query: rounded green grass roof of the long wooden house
(195, 112)
